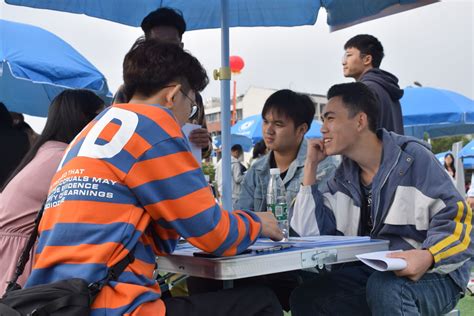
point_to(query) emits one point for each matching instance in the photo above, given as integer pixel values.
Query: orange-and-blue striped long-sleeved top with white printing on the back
(129, 183)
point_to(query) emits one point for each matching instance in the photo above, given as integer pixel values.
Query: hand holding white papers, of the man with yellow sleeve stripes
(418, 262)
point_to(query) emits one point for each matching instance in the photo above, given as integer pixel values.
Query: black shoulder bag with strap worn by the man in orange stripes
(66, 297)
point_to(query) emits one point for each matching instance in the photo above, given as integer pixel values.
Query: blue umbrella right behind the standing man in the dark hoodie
(437, 112)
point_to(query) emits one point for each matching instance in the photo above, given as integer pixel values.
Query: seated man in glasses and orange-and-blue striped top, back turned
(128, 185)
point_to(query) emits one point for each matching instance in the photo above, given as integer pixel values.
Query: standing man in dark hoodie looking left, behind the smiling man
(361, 61)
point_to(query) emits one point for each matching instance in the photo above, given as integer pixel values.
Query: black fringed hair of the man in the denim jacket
(296, 106)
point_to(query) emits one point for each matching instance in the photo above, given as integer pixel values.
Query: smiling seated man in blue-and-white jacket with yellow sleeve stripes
(388, 187)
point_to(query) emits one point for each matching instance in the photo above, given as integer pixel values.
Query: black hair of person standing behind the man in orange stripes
(164, 17)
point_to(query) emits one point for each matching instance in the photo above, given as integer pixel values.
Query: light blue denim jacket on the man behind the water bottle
(254, 187)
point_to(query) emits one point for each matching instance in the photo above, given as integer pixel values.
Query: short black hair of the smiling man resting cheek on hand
(357, 98)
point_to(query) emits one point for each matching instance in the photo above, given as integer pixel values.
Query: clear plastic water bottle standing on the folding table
(276, 201)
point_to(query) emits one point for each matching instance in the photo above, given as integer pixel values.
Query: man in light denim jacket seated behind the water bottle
(287, 116)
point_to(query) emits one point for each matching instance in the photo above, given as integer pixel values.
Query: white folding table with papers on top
(313, 252)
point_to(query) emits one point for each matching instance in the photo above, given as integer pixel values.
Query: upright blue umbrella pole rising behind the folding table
(224, 77)
